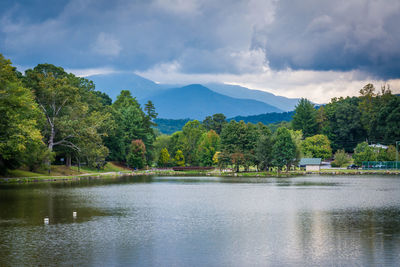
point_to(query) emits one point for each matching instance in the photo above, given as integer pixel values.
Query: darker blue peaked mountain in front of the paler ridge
(196, 102)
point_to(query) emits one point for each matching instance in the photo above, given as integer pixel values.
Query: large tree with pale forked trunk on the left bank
(75, 120)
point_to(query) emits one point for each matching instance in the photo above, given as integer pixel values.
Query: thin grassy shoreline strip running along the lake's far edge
(113, 171)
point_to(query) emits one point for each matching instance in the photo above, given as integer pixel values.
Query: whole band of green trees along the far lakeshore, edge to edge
(50, 116)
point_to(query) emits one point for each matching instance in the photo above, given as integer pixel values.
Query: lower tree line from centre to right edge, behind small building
(344, 125)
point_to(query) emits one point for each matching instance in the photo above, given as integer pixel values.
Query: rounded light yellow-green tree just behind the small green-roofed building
(317, 146)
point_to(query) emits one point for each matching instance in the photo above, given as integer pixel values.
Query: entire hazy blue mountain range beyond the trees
(193, 101)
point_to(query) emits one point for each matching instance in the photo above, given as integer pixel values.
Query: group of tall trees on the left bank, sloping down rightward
(50, 115)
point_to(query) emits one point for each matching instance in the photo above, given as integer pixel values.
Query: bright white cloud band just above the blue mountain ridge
(318, 86)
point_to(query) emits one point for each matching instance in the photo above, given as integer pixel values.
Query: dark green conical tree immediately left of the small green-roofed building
(284, 149)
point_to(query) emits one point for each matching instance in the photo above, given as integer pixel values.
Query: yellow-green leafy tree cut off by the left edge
(20, 138)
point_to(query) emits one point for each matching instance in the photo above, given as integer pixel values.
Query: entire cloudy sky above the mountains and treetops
(306, 48)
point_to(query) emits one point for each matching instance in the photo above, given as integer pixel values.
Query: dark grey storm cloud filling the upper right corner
(336, 35)
